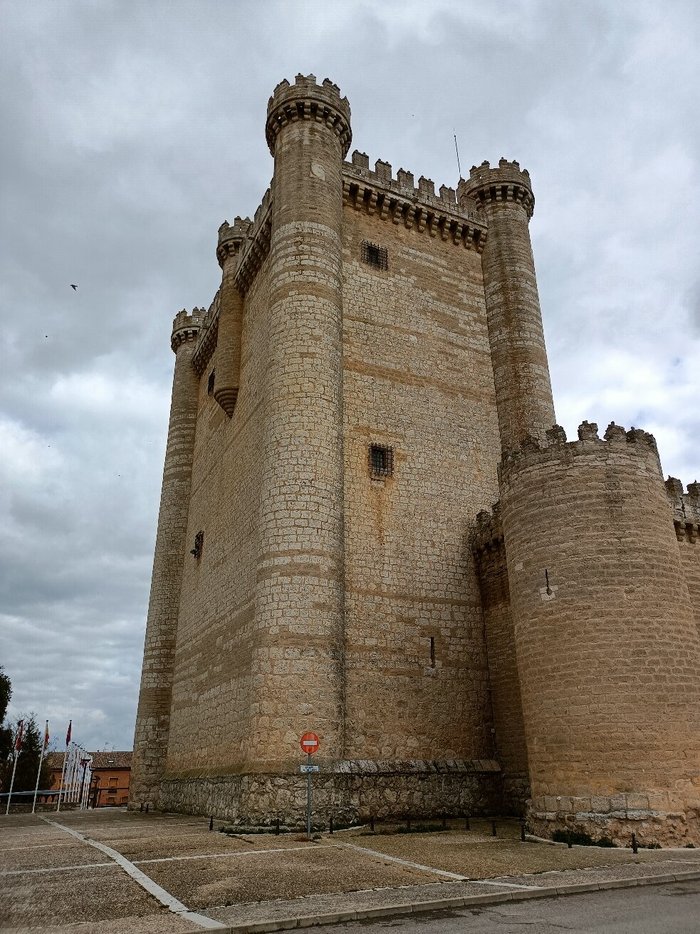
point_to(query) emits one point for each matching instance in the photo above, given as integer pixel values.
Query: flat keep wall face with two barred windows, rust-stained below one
(417, 379)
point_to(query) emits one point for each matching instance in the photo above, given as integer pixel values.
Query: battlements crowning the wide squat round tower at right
(616, 439)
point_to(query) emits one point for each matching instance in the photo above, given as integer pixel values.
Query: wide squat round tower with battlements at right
(607, 647)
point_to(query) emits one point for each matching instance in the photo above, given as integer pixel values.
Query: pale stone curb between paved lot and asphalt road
(454, 902)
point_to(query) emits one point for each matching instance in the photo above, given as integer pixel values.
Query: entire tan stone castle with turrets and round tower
(370, 379)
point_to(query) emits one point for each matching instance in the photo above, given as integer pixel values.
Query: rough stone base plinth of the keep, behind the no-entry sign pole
(349, 791)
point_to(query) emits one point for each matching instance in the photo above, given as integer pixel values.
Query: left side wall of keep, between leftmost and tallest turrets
(213, 697)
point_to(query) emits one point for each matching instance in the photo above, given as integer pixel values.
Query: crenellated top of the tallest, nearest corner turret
(307, 100)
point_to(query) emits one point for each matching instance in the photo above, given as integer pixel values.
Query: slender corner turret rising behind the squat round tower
(503, 196)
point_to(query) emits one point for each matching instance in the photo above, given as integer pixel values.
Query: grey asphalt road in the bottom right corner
(653, 909)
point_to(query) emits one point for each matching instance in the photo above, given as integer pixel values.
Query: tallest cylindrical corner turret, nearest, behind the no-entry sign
(301, 503)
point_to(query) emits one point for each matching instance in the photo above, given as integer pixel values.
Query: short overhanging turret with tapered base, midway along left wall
(228, 252)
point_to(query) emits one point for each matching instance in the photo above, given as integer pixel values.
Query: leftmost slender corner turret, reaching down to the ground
(153, 716)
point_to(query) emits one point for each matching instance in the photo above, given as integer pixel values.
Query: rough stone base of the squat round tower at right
(652, 818)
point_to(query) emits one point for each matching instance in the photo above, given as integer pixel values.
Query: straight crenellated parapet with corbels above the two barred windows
(417, 207)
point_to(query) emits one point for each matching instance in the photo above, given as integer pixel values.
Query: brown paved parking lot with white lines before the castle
(112, 871)
